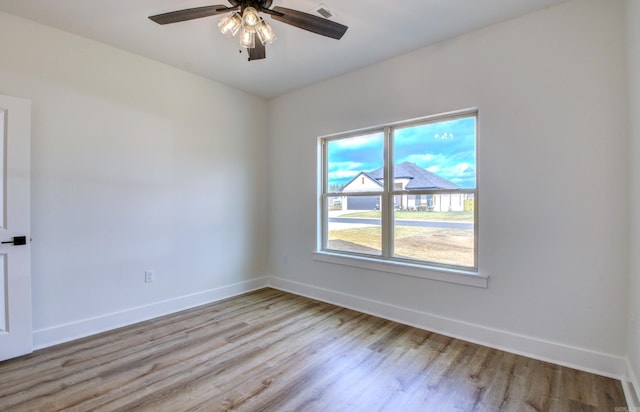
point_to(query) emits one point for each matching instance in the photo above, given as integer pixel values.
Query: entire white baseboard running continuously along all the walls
(578, 358)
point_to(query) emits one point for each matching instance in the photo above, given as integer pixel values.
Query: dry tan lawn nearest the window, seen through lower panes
(447, 246)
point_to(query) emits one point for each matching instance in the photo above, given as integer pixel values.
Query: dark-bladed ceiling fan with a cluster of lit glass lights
(243, 16)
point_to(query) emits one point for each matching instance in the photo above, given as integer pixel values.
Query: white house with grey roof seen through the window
(407, 177)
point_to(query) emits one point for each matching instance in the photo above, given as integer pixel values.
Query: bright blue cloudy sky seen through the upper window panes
(447, 149)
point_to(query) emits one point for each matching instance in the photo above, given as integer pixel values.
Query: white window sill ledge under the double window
(407, 269)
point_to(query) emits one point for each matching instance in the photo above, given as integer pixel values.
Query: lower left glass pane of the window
(354, 224)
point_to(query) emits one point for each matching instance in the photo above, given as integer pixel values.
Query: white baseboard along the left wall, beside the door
(43, 338)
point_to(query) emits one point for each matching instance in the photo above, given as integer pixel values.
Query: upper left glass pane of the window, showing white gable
(355, 164)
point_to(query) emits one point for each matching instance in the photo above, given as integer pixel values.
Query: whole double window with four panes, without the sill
(403, 193)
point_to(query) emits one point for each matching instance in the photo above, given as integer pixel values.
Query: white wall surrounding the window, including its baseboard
(551, 93)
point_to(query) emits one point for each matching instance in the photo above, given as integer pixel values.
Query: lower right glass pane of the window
(436, 228)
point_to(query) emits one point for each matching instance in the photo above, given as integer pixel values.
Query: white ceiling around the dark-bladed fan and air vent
(378, 30)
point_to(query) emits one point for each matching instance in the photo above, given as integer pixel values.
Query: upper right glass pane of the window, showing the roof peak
(436, 156)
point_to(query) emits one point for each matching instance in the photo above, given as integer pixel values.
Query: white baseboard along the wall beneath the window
(565, 355)
